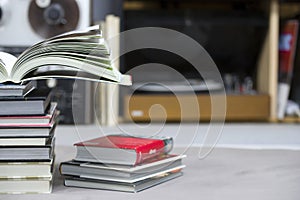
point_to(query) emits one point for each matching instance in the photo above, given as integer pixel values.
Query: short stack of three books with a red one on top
(122, 163)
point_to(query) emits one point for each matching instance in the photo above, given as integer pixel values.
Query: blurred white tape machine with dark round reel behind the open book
(25, 22)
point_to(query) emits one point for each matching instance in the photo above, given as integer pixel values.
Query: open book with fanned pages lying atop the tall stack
(82, 55)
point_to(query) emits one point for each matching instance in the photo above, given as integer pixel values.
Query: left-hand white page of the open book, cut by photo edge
(7, 62)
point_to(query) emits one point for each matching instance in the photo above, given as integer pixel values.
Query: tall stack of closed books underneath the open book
(27, 123)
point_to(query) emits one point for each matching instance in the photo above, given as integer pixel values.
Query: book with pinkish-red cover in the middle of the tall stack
(34, 120)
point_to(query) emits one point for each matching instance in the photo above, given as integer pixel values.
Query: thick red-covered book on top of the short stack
(119, 149)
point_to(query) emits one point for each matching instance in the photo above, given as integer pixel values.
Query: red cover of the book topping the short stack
(145, 148)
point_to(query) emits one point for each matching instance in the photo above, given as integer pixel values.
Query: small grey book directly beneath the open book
(16, 90)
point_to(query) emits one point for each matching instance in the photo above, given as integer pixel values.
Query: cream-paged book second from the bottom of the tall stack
(26, 169)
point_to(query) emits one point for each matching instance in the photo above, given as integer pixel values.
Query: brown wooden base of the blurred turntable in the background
(195, 108)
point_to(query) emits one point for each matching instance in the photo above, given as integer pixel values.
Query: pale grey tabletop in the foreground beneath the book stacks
(225, 174)
